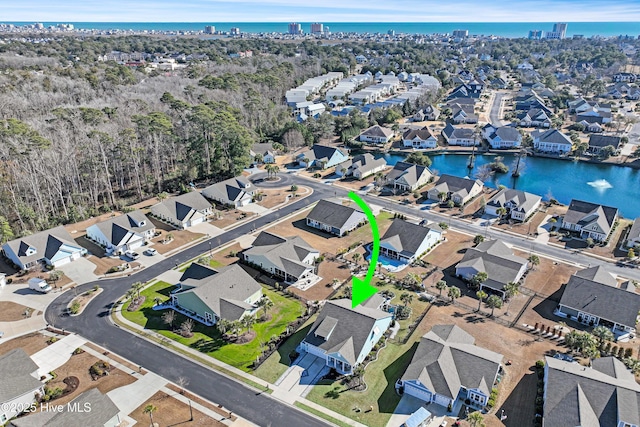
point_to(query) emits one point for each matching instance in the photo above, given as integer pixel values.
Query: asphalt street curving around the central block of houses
(263, 410)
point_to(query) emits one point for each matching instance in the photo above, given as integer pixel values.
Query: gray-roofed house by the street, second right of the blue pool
(497, 260)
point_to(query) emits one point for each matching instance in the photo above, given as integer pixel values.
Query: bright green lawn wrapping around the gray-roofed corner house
(208, 339)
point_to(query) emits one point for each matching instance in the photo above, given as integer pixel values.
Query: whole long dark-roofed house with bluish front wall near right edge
(592, 297)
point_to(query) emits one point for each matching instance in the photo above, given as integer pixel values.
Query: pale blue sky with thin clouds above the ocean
(320, 11)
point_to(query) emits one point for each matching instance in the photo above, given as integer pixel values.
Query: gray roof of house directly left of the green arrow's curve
(285, 253)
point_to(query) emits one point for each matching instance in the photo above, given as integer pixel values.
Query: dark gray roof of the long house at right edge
(602, 300)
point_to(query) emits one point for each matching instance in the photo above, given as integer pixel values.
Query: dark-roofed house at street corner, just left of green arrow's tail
(333, 217)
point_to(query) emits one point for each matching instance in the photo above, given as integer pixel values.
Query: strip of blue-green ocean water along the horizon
(503, 29)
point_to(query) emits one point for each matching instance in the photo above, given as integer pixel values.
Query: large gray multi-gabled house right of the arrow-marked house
(447, 366)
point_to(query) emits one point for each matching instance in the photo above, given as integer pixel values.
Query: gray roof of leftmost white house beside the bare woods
(46, 243)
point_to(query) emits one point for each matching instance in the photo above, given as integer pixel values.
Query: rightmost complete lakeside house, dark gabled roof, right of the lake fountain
(590, 219)
